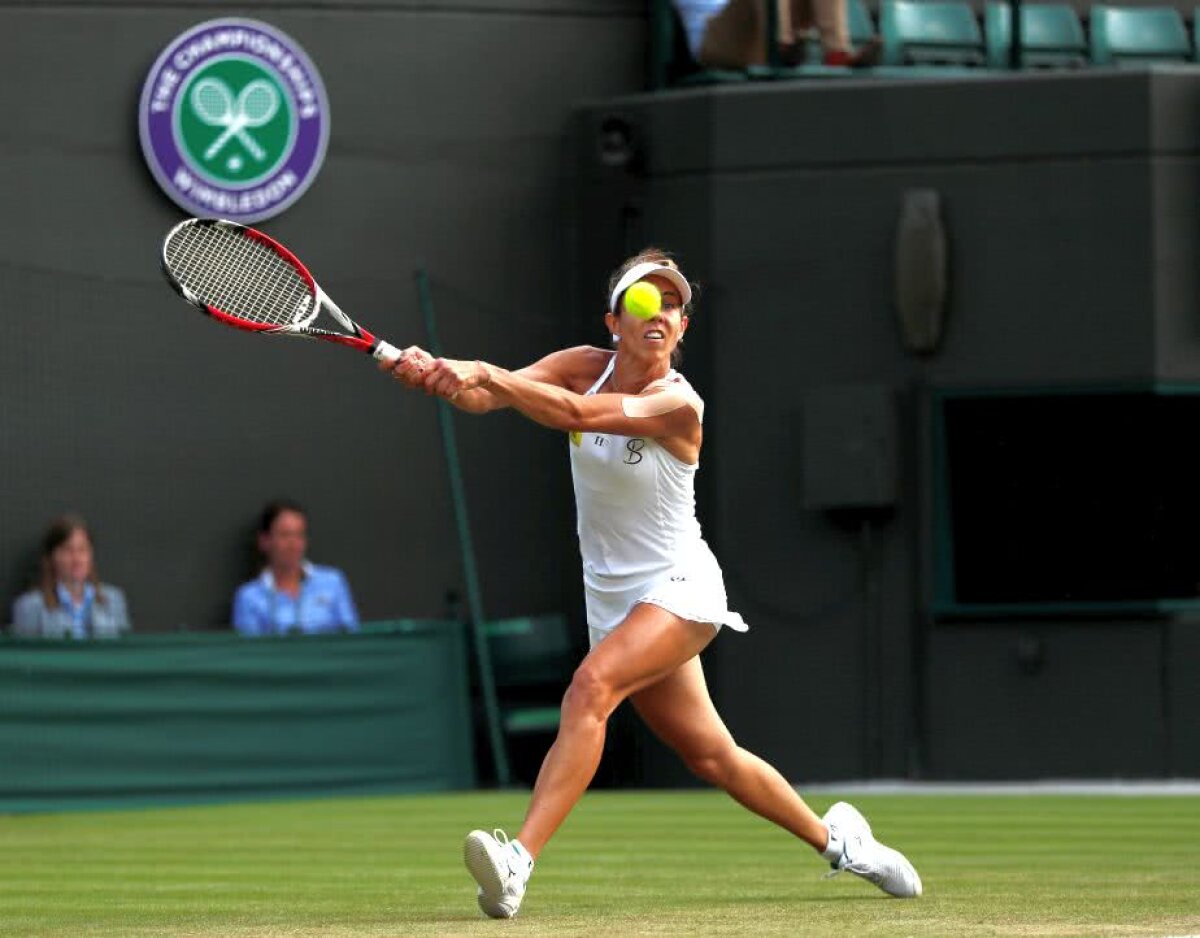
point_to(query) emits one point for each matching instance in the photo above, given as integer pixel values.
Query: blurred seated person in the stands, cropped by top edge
(733, 34)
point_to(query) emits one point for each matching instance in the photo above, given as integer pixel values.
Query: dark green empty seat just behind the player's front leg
(533, 659)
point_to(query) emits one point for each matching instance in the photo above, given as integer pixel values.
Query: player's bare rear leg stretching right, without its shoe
(681, 713)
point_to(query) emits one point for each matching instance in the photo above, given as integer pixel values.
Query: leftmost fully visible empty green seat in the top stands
(940, 33)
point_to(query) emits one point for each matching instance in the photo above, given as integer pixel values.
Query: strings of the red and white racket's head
(239, 276)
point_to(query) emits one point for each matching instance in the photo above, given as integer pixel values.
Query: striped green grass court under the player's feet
(626, 864)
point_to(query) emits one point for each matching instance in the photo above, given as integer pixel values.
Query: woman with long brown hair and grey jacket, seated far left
(69, 600)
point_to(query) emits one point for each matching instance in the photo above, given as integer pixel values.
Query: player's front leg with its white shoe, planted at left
(649, 645)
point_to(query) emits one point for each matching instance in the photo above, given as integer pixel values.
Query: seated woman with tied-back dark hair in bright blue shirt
(292, 596)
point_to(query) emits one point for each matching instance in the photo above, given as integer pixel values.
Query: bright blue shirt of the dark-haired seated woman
(323, 605)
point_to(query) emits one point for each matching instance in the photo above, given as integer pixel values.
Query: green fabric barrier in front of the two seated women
(171, 719)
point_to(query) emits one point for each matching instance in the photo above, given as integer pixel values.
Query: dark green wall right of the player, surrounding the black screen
(1069, 205)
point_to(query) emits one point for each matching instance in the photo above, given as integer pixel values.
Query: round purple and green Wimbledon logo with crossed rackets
(235, 121)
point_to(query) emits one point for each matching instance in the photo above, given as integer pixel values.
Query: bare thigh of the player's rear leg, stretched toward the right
(680, 711)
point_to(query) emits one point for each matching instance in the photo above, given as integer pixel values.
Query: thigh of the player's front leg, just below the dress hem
(647, 646)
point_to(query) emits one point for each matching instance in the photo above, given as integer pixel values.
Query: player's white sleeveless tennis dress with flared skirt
(639, 536)
